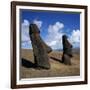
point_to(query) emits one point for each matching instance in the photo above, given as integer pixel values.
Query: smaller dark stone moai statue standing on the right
(67, 51)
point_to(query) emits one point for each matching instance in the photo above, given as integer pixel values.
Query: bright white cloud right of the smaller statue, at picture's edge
(75, 38)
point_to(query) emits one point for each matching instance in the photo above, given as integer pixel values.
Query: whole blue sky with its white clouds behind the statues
(52, 26)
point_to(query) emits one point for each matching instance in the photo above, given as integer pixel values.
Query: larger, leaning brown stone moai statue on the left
(40, 49)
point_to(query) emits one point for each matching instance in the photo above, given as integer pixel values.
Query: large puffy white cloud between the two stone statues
(54, 37)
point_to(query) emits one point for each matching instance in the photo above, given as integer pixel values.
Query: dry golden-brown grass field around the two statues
(57, 68)
